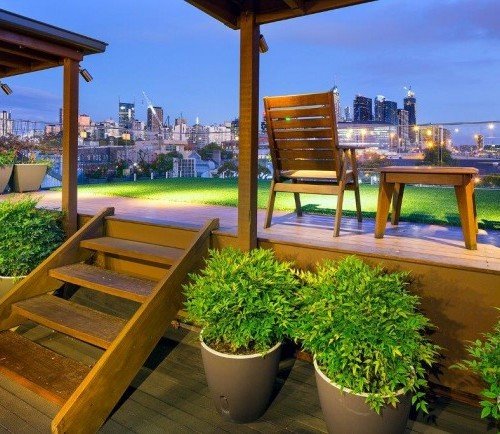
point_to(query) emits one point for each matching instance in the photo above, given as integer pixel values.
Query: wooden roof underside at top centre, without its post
(268, 11)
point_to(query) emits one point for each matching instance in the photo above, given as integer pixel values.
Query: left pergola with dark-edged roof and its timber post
(28, 45)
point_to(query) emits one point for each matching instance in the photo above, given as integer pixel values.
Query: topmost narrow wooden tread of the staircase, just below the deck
(133, 249)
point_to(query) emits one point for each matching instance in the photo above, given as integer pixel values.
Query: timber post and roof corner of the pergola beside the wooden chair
(247, 16)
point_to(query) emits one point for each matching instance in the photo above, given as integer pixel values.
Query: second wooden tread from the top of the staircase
(107, 281)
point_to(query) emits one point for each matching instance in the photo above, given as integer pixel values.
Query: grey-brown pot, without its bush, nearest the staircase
(241, 386)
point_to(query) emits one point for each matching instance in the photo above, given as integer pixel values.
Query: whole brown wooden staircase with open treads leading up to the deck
(110, 257)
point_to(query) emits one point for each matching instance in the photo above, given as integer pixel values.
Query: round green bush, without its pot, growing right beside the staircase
(243, 300)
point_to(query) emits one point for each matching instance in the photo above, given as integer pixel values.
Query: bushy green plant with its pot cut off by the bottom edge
(369, 345)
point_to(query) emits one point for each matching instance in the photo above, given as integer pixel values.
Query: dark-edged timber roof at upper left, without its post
(28, 45)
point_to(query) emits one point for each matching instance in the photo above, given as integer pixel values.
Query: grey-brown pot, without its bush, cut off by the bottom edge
(347, 412)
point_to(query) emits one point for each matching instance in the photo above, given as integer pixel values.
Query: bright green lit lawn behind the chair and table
(420, 204)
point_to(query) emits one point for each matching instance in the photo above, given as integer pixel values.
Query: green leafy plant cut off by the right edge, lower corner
(486, 363)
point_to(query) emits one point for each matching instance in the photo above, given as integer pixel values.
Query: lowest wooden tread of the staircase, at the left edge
(39, 369)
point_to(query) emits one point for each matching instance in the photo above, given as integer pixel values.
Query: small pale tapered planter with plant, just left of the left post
(29, 173)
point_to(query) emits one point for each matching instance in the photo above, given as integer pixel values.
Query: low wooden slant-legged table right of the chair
(392, 184)
